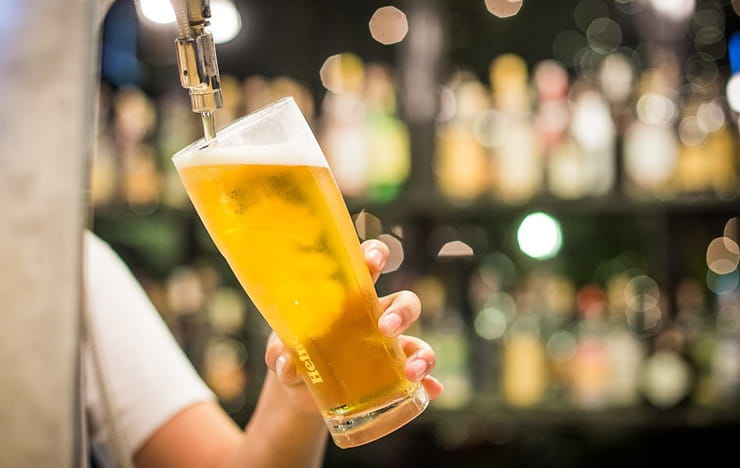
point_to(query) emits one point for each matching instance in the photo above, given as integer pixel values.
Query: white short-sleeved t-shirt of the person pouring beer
(147, 375)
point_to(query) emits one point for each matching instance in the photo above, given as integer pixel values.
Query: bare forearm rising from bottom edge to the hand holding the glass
(280, 433)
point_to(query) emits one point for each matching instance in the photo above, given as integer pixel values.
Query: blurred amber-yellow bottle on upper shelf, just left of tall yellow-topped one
(461, 162)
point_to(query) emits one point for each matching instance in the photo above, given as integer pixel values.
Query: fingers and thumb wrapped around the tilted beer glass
(400, 310)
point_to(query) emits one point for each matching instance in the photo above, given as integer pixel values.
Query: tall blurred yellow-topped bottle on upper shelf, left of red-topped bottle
(517, 155)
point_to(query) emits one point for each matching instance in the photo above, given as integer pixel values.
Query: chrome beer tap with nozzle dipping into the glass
(196, 59)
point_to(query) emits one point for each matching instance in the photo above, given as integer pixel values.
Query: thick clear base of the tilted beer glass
(361, 428)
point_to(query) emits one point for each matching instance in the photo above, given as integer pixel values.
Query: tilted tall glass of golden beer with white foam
(265, 193)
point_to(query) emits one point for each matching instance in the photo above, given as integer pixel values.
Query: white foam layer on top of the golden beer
(284, 154)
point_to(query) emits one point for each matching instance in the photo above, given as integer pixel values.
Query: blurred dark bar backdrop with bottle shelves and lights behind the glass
(557, 180)
